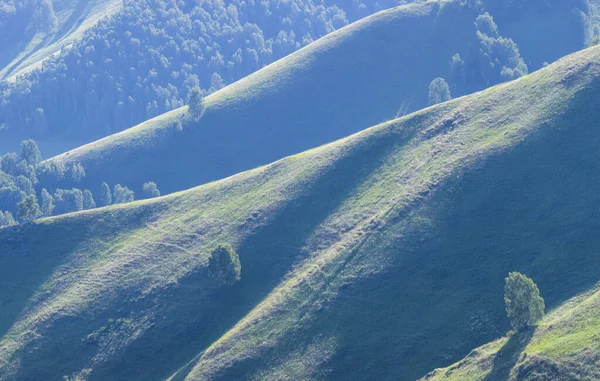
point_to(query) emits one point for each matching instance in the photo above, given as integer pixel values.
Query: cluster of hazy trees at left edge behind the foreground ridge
(29, 188)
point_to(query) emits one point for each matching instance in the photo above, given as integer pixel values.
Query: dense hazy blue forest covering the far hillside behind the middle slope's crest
(145, 59)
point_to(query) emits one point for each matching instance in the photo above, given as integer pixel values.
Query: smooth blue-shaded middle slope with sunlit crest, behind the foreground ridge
(347, 81)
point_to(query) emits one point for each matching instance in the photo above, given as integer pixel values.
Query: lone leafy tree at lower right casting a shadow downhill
(524, 305)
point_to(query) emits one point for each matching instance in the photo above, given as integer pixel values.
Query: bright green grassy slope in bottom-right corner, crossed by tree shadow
(564, 346)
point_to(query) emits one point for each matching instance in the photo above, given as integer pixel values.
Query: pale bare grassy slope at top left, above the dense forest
(74, 18)
